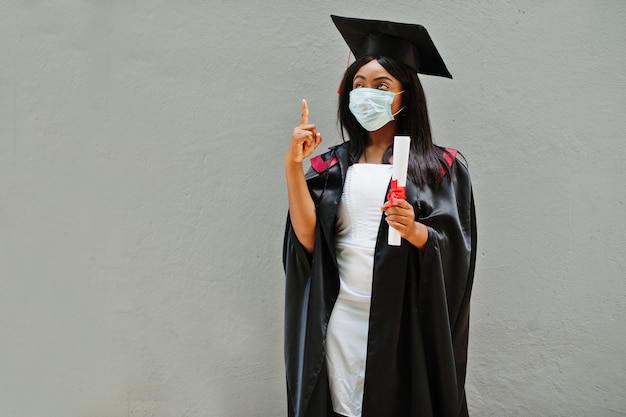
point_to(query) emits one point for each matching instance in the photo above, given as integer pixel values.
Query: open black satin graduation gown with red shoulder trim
(419, 314)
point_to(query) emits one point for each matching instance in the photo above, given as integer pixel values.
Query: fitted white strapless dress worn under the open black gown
(358, 220)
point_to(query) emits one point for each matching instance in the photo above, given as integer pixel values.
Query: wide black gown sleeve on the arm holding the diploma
(447, 266)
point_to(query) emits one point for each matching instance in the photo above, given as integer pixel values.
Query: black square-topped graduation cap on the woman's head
(407, 43)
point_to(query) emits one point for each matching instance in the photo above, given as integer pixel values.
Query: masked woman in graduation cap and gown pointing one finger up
(373, 329)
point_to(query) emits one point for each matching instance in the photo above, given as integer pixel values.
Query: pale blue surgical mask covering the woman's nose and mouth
(372, 107)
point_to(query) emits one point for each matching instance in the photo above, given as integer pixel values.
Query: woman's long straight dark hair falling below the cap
(425, 161)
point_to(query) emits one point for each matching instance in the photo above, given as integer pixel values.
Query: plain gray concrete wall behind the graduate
(142, 197)
